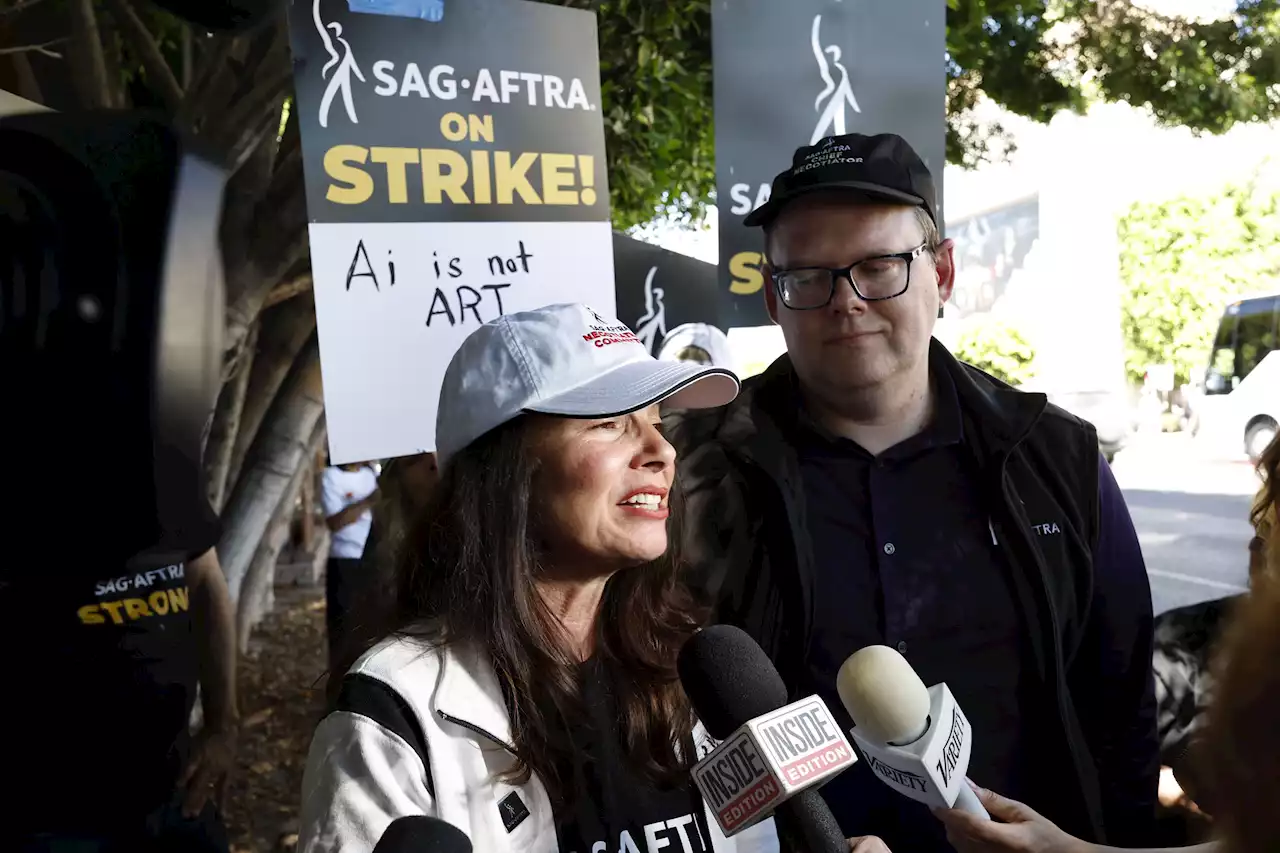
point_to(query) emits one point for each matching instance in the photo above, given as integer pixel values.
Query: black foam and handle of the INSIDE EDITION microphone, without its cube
(730, 682)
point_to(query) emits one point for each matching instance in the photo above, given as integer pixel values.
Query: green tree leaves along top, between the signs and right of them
(1032, 57)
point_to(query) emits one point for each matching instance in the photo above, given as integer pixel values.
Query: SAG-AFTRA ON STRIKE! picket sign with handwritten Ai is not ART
(455, 174)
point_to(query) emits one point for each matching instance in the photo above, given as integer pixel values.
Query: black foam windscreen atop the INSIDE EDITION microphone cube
(729, 679)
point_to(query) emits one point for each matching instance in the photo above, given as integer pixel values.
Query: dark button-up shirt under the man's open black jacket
(906, 558)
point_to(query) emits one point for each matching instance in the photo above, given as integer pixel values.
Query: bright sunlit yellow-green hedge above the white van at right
(1182, 261)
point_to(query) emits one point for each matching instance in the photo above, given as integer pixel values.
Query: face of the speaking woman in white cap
(602, 490)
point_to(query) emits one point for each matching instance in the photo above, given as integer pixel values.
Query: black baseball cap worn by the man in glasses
(881, 168)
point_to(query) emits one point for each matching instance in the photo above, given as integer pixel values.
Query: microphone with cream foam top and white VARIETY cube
(917, 741)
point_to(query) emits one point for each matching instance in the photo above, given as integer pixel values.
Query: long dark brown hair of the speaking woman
(468, 576)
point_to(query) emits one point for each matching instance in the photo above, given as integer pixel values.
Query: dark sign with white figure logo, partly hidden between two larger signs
(660, 291)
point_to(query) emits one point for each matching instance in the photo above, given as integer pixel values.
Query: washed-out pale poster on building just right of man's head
(991, 253)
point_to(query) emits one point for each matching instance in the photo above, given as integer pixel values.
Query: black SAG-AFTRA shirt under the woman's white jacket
(618, 808)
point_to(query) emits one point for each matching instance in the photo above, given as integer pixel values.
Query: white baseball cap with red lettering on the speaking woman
(561, 361)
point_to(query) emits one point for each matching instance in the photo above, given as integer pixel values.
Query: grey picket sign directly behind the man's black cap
(790, 74)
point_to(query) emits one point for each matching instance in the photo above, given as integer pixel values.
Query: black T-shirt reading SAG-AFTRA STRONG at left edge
(102, 672)
